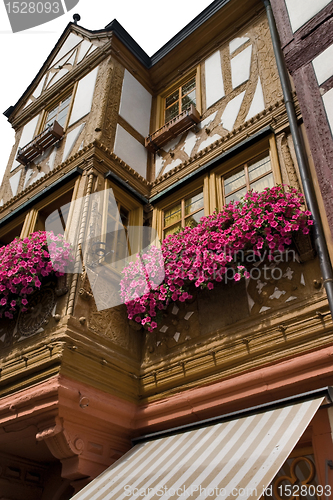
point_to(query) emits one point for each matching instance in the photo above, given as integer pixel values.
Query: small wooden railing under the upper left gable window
(40, 143)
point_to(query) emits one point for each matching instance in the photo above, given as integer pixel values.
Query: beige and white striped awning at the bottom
(232, 460)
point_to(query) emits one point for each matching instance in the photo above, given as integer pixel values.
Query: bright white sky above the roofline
(150, 22)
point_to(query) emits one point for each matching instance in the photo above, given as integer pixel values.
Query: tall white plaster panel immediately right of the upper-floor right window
(213, 79)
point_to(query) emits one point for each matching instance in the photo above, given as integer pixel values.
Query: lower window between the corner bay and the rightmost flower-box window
(185, 213)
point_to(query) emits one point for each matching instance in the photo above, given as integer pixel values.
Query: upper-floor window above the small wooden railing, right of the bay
(180, 99)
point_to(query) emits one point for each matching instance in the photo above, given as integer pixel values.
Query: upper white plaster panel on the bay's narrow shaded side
(135, 104)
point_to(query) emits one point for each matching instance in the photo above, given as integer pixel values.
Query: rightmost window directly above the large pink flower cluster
(256, 174)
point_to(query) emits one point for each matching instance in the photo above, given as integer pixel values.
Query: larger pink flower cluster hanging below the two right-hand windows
(261, 223)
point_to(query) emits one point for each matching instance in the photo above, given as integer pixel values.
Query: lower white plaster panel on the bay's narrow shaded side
(130, 151)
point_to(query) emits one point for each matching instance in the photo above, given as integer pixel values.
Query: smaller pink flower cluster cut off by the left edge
(23, 265)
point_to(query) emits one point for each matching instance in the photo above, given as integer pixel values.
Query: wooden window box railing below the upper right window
(186, 120)
